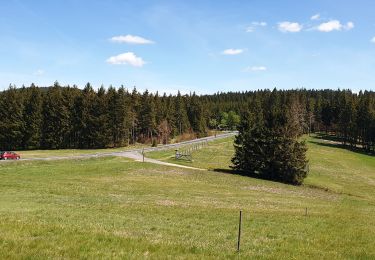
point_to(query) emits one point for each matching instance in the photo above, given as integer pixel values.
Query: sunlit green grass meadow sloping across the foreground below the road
(115, 208)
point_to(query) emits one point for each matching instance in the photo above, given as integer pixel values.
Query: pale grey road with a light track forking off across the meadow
(136, 154)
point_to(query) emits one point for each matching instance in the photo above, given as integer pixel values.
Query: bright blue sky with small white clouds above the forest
(202, 46)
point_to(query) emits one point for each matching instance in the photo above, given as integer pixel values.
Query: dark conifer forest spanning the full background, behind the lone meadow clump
(59, 117)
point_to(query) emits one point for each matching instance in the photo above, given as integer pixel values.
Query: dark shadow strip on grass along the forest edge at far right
(333, 141)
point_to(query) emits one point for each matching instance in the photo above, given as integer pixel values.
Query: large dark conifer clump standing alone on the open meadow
(268, 148)
